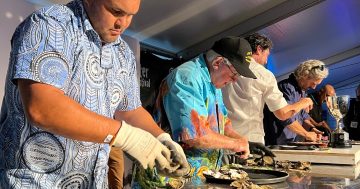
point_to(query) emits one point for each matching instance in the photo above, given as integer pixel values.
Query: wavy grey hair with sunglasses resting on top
(311, 69)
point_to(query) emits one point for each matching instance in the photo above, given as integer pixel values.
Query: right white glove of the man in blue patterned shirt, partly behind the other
(179, 165)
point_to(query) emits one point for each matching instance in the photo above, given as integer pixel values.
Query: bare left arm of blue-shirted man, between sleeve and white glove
(49, 109)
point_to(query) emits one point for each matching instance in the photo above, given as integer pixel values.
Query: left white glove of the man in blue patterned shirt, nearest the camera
(142, 146)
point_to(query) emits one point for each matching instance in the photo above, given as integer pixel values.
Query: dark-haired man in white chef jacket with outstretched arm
(245, 98)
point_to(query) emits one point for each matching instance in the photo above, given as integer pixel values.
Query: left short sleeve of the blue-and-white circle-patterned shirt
(41, 50)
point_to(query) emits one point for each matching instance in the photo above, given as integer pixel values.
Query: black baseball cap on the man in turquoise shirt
(238, 51)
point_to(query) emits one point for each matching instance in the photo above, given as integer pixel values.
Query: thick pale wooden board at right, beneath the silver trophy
(340, 156)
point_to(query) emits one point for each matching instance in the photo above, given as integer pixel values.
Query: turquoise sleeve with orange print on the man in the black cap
(185, 107)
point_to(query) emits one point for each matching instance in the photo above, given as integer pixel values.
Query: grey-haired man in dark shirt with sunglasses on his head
(307, 75)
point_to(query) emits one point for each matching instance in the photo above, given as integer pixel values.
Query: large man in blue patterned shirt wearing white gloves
(69, 72)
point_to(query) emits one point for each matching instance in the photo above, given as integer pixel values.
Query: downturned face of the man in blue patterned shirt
(110, 18)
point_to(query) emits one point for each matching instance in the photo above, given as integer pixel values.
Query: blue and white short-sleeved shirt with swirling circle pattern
(58, 46)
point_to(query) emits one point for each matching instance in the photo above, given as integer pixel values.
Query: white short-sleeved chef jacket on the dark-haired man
(245, 101)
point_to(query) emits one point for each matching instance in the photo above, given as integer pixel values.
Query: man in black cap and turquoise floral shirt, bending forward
(190, 104)
